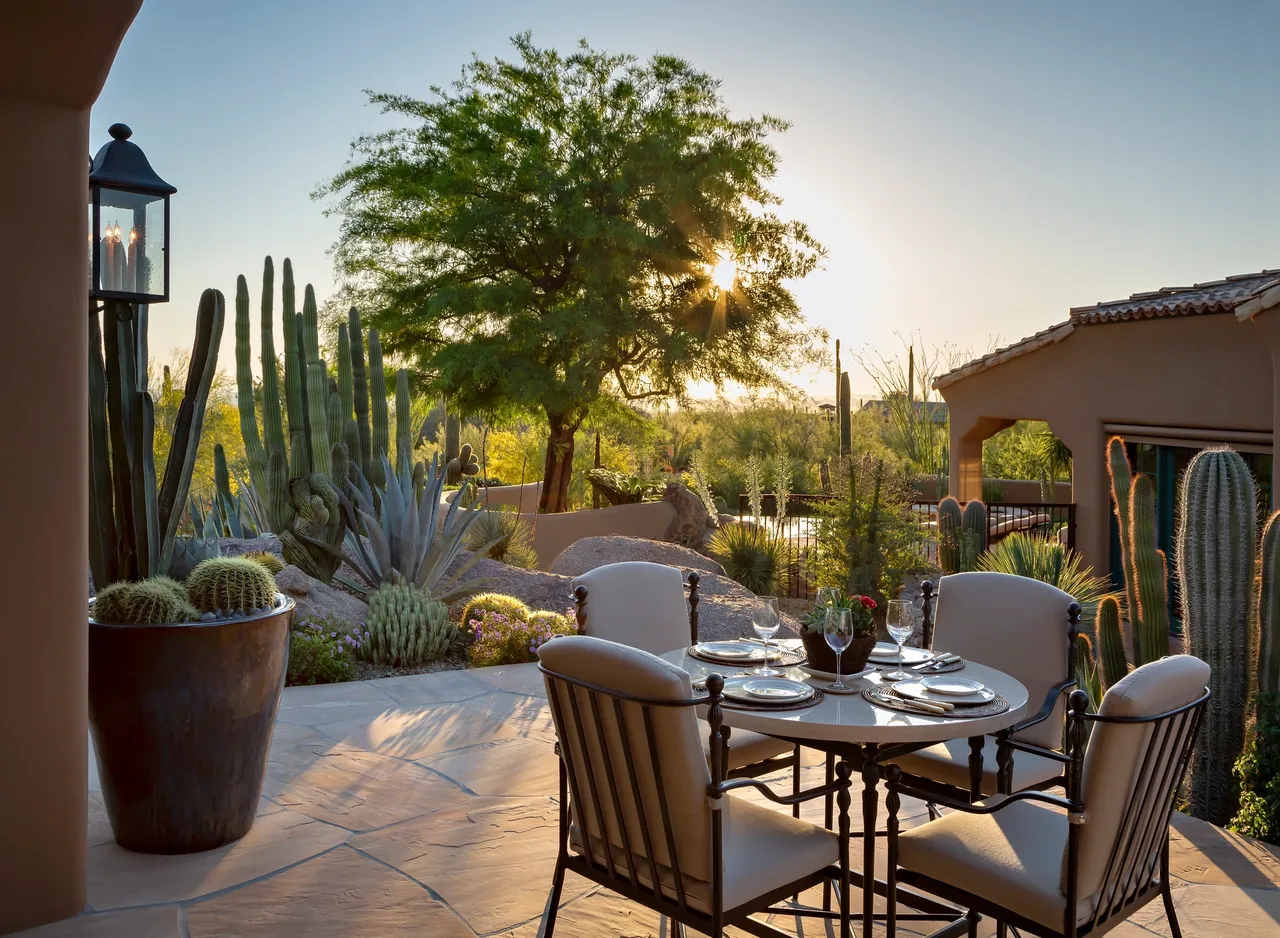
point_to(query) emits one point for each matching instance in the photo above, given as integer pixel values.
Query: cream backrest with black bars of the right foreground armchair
(1135, 762)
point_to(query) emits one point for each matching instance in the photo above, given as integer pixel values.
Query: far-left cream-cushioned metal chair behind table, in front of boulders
(643, 606)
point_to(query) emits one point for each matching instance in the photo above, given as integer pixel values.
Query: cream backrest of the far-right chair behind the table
(1016, 625)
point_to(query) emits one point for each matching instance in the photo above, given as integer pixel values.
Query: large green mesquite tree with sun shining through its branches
(546, 235)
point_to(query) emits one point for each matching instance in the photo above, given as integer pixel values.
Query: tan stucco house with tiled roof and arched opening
(1172, 372)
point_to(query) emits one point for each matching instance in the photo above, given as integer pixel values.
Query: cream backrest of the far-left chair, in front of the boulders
(638, 605)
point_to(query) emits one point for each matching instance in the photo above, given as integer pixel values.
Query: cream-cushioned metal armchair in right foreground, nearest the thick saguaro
(1077, 866)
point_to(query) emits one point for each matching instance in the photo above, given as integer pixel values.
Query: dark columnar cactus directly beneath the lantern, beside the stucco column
(134, 518)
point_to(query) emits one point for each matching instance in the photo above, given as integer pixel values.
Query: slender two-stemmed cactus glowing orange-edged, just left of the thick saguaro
(1144, 564)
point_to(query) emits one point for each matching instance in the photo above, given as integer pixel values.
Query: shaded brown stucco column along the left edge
(53, 62)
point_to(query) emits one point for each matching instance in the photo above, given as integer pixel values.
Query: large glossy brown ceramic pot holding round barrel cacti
(182, 720)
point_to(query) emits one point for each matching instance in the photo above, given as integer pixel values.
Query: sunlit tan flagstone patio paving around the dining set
(426, 806)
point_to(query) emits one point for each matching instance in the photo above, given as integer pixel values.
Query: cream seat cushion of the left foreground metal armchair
(765, 850)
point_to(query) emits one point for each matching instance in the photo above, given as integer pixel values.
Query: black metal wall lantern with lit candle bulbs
(124, 268)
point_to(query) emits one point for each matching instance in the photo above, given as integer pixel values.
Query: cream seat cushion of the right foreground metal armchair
(1013, 858)
